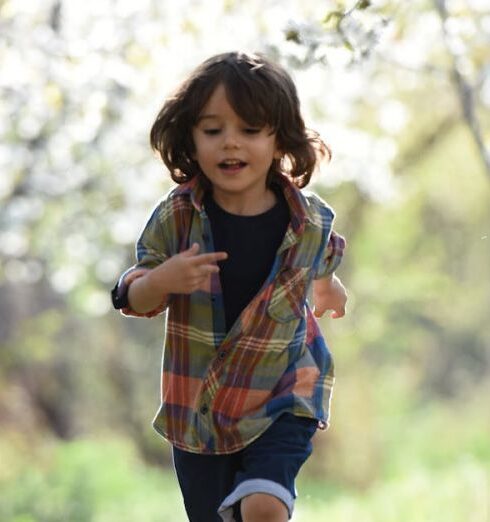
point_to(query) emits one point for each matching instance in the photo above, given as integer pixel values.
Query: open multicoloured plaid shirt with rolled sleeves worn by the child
(220, 390)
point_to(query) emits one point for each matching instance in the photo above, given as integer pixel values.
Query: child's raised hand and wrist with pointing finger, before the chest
(186, 272)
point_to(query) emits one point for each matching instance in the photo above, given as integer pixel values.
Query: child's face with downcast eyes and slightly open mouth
(234, 156)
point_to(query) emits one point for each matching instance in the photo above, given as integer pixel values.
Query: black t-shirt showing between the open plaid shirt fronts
(251, 243)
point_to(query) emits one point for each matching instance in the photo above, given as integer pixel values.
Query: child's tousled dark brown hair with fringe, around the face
(262, 94)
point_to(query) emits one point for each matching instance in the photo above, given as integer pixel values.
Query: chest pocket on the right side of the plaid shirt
(288, 295)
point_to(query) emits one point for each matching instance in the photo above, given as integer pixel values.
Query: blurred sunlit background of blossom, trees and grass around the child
(401, 92)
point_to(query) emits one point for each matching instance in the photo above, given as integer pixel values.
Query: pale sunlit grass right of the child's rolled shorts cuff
(458, 493)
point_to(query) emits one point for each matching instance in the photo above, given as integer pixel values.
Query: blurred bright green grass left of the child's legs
(99, 480)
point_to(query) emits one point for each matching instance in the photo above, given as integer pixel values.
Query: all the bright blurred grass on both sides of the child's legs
(103, 480)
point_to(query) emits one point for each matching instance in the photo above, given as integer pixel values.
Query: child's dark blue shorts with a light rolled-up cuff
(213, 485)
